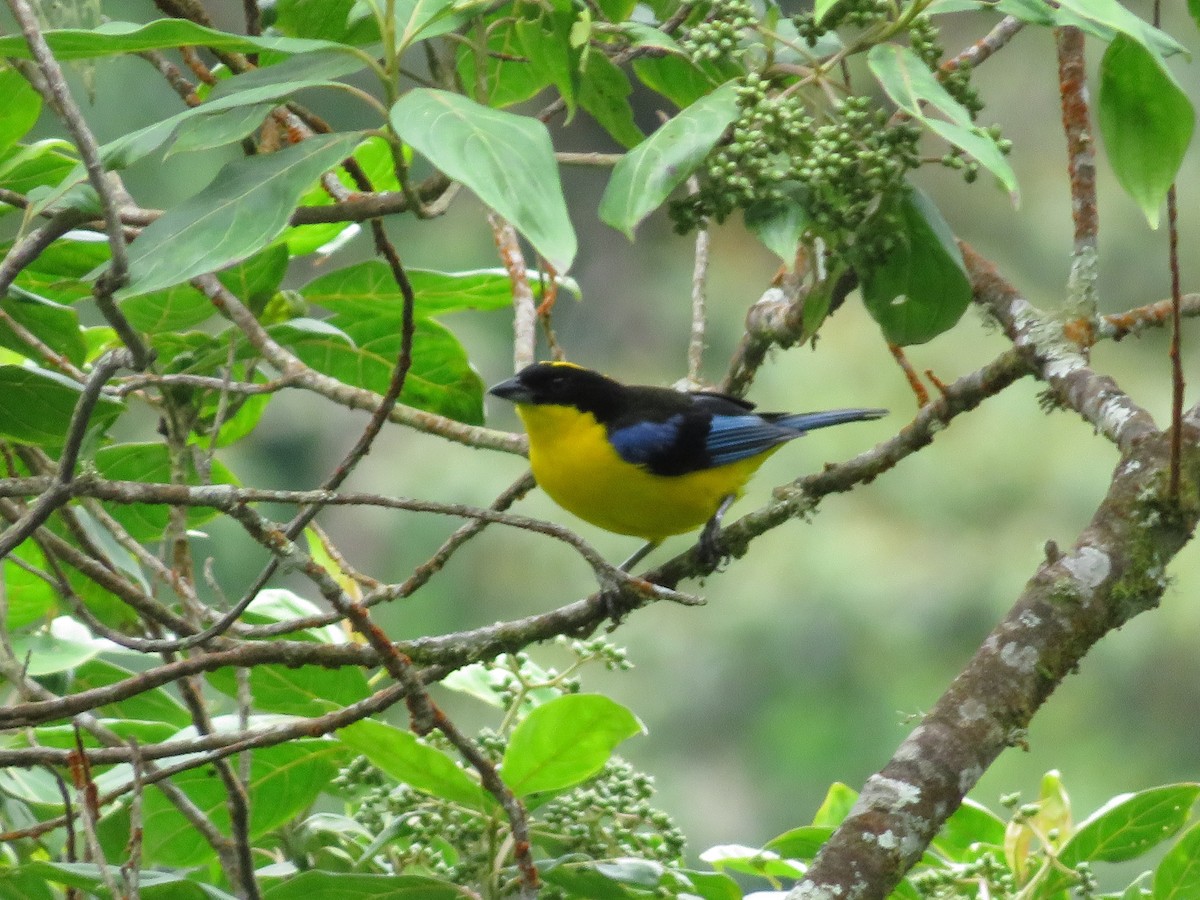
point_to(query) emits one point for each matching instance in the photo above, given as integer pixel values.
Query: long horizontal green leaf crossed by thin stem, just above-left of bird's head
(369, 289)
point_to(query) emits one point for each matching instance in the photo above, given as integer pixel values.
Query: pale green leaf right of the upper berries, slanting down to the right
(911, 86)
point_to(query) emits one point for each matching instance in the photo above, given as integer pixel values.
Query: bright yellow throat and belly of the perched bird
(580, 470)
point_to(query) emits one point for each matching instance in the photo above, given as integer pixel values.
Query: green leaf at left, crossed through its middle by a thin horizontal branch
(152, 464)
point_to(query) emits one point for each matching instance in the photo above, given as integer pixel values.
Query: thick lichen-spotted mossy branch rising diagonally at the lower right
(1115, 571)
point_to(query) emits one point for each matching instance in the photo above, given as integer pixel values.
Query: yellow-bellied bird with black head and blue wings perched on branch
(645, 461)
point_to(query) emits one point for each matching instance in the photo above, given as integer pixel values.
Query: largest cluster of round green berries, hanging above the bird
(848, 173)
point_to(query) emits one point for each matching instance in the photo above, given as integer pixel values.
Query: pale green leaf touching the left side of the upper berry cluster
(649, 173)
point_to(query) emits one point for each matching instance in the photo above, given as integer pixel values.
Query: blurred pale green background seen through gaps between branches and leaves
(814, 652)
